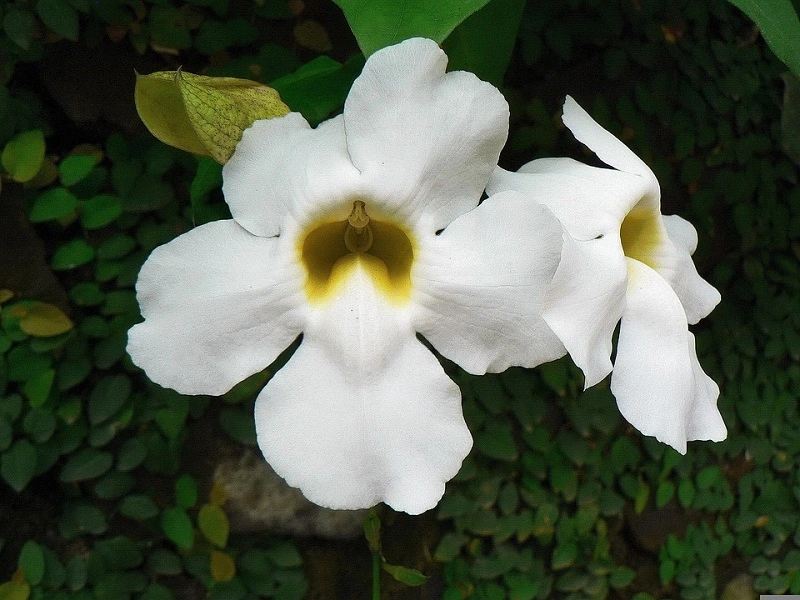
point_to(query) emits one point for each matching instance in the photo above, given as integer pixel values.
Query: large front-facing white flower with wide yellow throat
(360, 234)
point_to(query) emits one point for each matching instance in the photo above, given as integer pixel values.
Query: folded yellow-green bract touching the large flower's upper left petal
(200, 114)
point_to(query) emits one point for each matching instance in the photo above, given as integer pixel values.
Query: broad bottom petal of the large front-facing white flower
(363, 412)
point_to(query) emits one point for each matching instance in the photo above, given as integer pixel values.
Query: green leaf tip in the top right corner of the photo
(780, 26)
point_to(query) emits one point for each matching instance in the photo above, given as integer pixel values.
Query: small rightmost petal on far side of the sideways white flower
(697, 295)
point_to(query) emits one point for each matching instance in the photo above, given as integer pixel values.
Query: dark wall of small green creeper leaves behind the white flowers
(100, 498)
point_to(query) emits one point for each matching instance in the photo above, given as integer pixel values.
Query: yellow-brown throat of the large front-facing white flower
(331, 251)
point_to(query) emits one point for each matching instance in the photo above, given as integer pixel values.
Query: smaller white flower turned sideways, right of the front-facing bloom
(622, 259)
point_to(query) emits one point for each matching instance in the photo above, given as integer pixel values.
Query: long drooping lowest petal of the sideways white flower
(655, 379)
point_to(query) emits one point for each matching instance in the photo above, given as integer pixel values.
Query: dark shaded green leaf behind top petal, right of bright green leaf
(483, 43)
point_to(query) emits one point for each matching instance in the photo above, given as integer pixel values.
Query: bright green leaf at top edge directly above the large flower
(381, 23)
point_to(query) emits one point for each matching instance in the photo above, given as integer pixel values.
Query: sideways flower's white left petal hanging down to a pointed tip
(585, 302)
